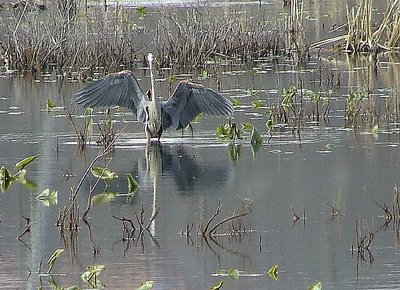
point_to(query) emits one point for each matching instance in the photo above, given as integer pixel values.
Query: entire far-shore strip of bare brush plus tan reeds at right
(73, 35)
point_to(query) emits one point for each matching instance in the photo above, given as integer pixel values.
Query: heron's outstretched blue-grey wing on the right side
(189, 100)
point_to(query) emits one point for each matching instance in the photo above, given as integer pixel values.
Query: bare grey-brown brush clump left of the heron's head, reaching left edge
(66, 37)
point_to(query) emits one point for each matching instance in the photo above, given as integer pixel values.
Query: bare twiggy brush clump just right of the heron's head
(193, 36)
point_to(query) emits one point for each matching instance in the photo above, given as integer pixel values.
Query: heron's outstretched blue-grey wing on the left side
(116, 89)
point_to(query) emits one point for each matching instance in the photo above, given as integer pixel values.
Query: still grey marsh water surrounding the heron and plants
(186, 177)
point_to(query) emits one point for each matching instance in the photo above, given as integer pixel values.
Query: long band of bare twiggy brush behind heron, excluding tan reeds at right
(68, 36)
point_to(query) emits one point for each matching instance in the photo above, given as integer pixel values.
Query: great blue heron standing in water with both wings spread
(187, 101)
